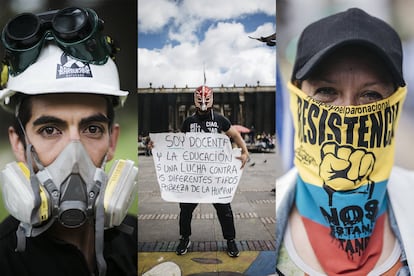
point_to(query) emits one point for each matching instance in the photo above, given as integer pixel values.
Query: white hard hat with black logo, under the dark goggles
(56, 72)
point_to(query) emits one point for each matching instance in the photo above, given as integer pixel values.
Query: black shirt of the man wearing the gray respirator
(45, 256)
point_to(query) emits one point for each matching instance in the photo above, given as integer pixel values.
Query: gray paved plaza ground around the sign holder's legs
(254, 211)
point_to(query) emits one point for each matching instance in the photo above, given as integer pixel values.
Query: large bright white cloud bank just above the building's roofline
(230, 57)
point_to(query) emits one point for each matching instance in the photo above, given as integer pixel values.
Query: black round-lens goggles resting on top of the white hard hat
(76, 31)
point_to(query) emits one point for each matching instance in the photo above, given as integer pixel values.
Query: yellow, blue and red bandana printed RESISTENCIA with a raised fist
(344, 156)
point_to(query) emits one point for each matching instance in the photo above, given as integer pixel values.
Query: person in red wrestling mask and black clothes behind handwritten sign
(205, 119)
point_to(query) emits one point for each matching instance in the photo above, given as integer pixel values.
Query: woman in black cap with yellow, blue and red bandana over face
(344, 208)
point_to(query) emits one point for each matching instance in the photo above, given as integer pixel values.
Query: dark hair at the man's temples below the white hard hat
(24, 113)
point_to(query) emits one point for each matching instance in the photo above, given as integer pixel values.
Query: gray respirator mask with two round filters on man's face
(71, 190)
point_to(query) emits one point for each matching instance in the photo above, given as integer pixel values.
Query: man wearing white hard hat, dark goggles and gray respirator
(68, 216)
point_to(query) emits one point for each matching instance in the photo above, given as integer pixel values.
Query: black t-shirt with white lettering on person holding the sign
(210, 122)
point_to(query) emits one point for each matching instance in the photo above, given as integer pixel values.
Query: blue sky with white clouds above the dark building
(177, 39)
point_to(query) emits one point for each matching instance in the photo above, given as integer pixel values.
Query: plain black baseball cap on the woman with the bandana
(351, 27)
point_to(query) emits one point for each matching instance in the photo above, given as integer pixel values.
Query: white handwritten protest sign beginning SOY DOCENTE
(196, 167)
